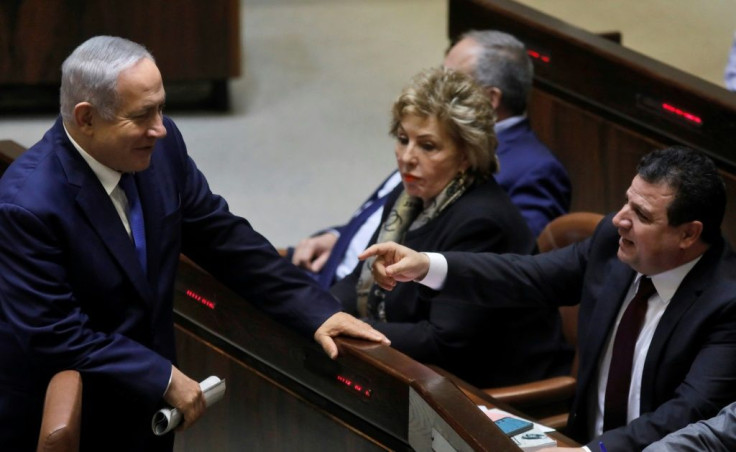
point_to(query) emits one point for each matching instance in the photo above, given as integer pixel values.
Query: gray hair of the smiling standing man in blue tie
(90, 74)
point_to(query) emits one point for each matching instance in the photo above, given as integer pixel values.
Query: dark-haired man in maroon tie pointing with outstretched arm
(682, 348)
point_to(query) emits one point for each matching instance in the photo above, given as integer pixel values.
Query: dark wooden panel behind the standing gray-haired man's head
(191, 40)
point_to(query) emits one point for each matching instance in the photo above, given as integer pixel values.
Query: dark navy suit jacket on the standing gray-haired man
(74, 296)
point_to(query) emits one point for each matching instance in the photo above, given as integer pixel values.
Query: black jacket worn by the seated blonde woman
(483, 345)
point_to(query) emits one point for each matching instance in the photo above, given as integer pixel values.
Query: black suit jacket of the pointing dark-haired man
(690, 369)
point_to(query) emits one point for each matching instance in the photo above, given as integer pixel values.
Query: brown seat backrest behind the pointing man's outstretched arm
(560, 232)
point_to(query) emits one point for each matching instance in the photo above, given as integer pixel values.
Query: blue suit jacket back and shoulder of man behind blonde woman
(534, 179)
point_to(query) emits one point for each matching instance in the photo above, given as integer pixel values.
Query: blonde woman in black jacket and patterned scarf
(449, 201)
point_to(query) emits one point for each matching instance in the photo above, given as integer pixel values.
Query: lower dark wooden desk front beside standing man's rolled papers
(261, 414)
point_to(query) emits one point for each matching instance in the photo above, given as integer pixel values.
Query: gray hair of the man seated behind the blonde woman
(504, 63)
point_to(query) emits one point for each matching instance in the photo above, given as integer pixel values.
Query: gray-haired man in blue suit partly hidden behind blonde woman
(534, 179)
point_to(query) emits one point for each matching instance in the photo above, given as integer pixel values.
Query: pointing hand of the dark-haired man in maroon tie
(395, 263)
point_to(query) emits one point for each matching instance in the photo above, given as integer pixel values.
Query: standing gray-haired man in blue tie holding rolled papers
(93, 219)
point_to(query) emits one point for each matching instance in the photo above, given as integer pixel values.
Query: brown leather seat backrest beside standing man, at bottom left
(62, 413)
